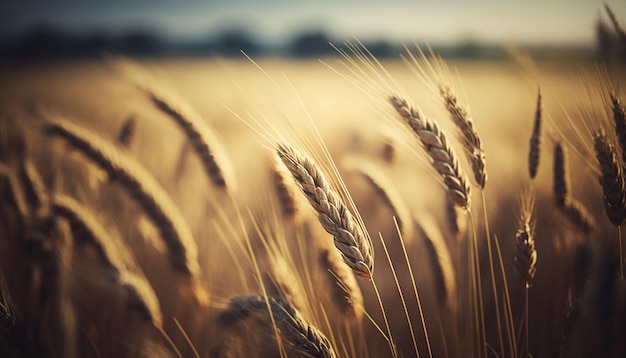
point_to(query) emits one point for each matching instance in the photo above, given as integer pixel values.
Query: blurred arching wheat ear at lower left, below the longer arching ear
(87, 230)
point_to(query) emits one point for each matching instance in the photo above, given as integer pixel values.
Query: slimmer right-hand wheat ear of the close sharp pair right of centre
(471, 141)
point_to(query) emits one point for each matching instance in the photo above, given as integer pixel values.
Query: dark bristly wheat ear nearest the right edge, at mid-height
(612, 180)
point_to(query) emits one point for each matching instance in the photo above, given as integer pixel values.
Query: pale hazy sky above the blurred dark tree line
(275, 21)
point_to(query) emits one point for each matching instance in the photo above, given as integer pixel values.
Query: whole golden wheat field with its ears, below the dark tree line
(336, 208)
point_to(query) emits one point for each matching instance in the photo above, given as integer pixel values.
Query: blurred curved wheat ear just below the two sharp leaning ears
(440, 260)
